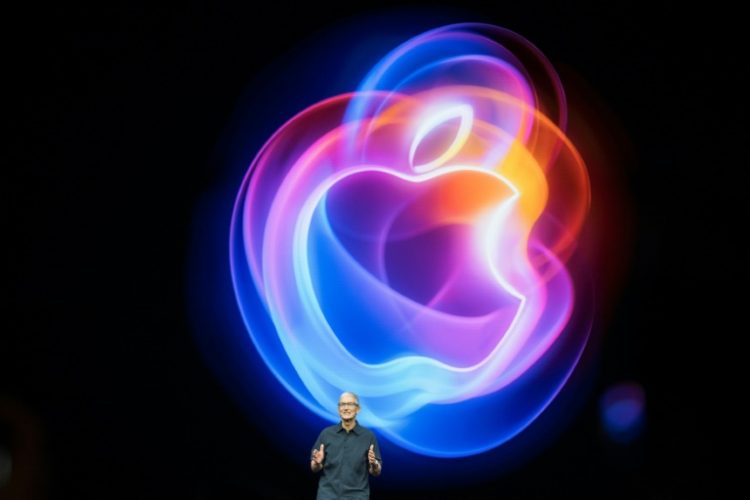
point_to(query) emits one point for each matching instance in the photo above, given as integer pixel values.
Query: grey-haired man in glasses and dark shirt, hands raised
(344, 454)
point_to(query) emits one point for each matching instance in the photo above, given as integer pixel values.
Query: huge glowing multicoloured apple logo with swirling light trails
(411, 241)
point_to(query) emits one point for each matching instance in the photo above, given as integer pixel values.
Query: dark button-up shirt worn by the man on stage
(345, 466)
